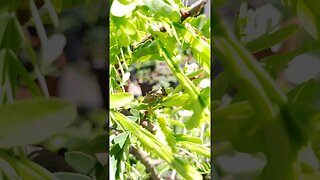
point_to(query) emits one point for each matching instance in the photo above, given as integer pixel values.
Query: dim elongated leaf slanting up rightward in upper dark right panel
(268, 40)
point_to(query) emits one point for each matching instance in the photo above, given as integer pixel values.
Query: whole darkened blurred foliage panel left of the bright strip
(53, 89)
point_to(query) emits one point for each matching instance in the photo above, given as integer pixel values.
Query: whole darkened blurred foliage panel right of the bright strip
(275, 45)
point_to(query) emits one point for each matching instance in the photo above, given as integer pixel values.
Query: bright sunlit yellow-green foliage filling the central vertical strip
(170, 121)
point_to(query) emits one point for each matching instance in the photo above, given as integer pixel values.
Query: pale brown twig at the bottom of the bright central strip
(145, 160)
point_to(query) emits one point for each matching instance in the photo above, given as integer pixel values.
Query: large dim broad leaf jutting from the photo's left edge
(42, 117)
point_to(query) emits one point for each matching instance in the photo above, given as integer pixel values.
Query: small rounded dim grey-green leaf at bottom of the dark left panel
(80, 161)
